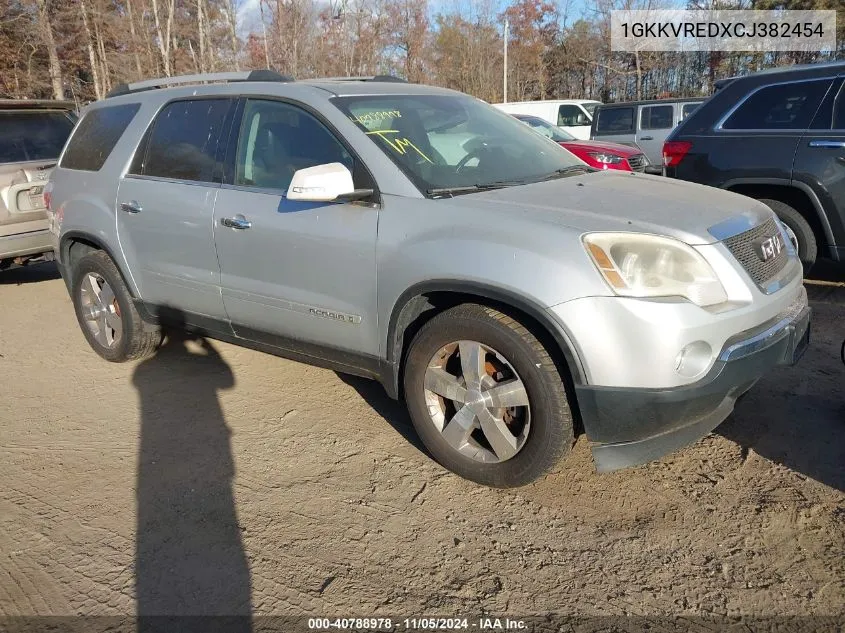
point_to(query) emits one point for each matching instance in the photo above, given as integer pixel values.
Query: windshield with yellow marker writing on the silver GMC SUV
(454, 141)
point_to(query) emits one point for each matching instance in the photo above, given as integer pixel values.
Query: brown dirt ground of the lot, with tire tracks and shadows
(220, 480)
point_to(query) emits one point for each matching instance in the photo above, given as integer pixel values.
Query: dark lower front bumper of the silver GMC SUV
(627, 427)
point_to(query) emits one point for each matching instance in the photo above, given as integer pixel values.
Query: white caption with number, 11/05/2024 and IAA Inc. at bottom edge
(416, 624)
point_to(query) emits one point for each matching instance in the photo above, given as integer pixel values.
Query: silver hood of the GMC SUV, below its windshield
(624, 201)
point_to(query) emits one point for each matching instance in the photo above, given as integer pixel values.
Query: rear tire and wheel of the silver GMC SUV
(131, 337)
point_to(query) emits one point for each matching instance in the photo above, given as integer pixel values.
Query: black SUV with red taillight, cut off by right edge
(777, 136)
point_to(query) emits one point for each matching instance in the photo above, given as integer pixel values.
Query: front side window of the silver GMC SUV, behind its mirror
(277, 139)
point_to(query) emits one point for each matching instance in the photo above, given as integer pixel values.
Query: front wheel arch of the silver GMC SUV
(419, 303)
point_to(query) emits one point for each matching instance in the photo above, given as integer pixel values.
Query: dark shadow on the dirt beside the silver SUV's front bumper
(796, 416)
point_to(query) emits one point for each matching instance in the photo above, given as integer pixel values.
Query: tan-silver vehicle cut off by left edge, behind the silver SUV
(32, 133)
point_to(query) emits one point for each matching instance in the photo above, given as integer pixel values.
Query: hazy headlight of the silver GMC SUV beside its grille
(639, 265)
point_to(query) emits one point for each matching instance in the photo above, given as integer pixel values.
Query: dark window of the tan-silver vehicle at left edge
(31, 135)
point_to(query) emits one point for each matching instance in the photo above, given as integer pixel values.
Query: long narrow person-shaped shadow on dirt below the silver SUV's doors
(190, 558)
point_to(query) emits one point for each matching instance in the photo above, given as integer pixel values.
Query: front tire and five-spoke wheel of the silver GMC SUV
(542, 431)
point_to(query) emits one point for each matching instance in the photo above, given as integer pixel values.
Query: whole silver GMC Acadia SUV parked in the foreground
(512, 295)
